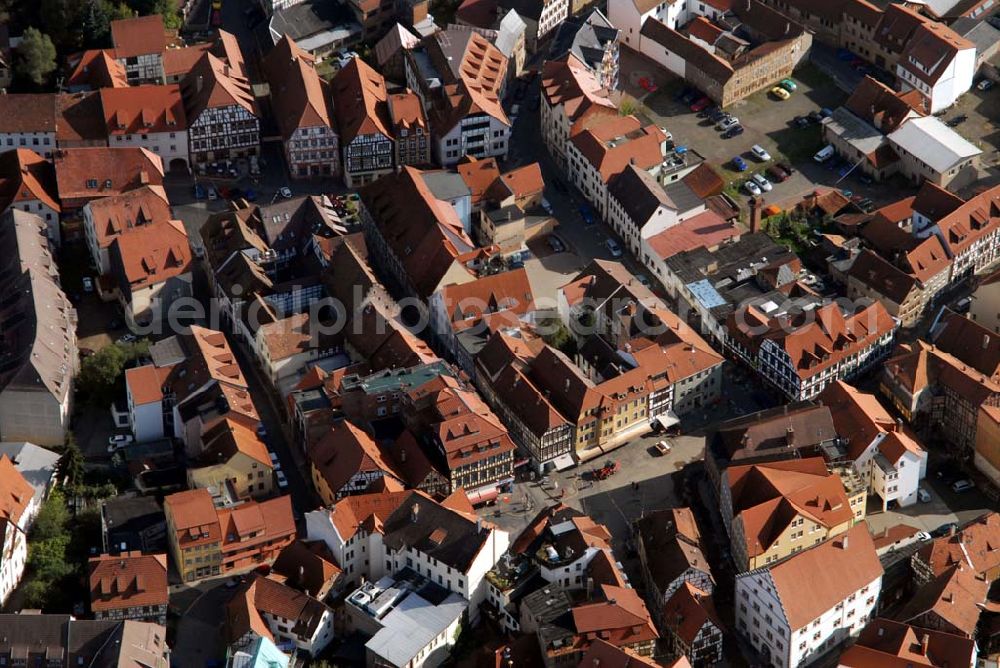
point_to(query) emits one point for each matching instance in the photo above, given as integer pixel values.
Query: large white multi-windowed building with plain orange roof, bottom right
(797, 610)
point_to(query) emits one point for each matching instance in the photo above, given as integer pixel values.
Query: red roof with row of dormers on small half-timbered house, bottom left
(127, 580)
